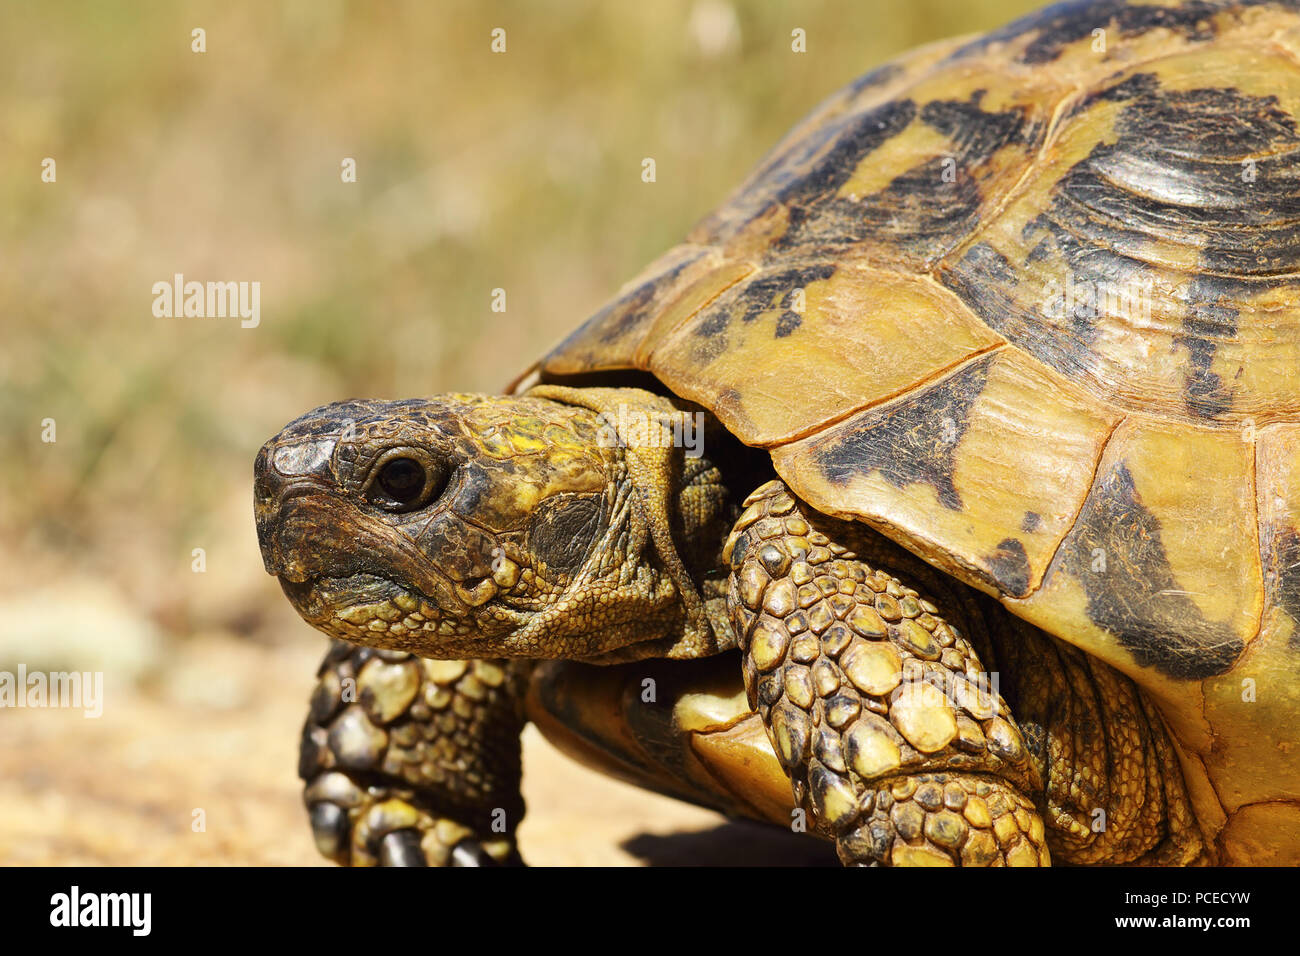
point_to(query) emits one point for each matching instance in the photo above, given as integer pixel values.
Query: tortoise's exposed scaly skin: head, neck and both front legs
(543, 539)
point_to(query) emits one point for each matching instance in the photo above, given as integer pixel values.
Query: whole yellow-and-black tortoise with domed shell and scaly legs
(938, 498)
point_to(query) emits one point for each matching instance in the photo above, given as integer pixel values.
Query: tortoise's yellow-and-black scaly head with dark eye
(470, 526)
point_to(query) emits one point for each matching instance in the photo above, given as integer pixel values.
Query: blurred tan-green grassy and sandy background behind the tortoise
(475, 171)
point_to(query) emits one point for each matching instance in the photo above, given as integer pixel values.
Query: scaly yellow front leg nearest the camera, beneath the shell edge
(879, 710)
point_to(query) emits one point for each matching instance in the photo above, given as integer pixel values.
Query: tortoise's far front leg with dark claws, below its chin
(414, 763)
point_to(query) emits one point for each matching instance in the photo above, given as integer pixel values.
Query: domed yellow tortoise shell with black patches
(1030, 306)
